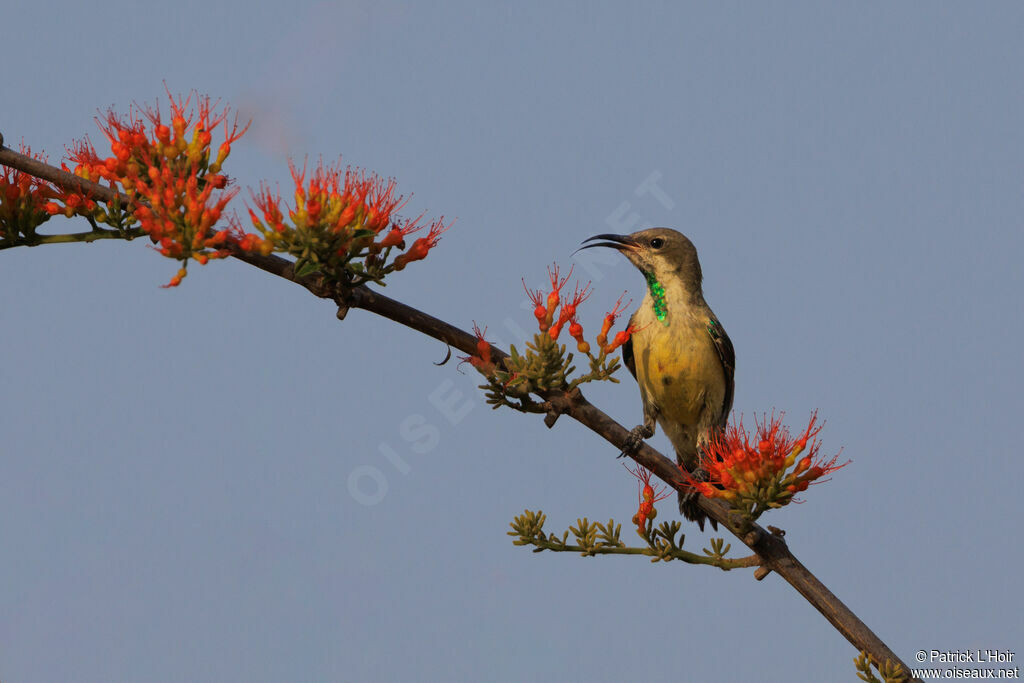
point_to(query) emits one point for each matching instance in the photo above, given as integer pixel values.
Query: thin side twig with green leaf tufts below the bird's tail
(592, 539)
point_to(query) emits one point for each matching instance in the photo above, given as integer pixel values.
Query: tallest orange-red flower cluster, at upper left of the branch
(180, 194)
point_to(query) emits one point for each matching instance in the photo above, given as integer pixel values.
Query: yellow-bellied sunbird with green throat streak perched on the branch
(680, 355)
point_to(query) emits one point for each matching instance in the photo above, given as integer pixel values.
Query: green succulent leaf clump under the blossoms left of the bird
(544, 366)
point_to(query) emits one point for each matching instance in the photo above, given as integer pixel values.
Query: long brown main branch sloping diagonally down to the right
(772, 548)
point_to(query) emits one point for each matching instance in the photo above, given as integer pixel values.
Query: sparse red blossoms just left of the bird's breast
(546, 308)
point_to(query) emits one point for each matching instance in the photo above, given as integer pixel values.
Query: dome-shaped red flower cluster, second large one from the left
(339, 218)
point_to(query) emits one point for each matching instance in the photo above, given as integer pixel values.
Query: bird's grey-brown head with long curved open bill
(662, 252)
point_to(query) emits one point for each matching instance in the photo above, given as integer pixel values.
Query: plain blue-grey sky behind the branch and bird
(177, 484)
